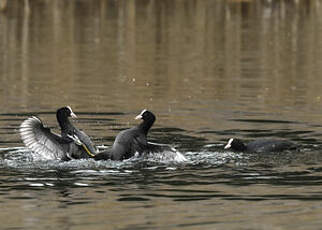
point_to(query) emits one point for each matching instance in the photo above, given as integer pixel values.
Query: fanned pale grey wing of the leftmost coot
(41, 140)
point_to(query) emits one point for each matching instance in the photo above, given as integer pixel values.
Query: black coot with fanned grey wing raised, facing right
(71, 144)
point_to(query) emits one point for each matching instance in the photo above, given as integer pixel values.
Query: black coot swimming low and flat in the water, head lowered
(260, 146)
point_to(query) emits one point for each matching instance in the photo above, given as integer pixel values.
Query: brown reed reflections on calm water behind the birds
(174, 51)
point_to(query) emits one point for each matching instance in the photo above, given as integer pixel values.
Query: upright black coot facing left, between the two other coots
(130, 141)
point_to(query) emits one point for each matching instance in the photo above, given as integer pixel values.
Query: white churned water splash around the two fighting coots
(23, 158)
